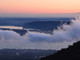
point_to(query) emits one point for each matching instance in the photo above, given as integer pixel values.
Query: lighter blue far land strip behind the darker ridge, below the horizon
(22, 21)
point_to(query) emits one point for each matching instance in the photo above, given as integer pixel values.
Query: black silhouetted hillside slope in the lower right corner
(70, 53)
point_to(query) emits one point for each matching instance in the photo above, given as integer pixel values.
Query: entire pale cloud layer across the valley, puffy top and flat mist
(34, 40)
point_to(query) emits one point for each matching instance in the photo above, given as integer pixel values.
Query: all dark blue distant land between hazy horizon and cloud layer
(43, 25)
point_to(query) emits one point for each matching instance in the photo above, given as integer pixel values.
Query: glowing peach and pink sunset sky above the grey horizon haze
(38, 7)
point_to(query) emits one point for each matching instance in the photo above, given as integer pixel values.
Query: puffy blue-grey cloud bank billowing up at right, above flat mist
(67, 33)
